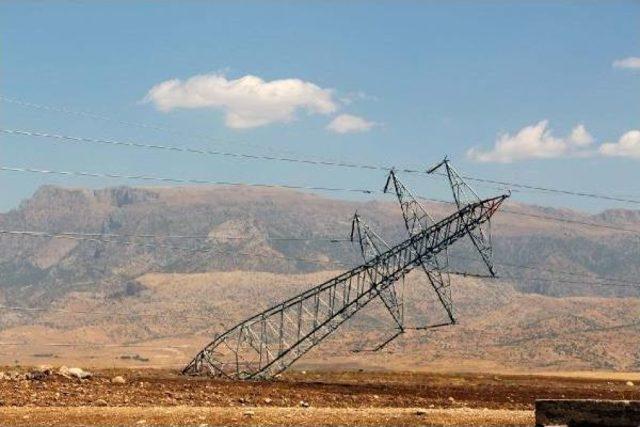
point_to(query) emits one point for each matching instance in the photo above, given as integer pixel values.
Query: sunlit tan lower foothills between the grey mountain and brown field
(171, 316)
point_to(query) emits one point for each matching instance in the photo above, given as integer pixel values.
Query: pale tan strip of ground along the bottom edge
(204, 416)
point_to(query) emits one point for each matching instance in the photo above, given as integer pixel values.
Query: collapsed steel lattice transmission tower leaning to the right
(269, 342)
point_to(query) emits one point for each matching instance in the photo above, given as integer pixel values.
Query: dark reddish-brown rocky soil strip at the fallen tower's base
(51, 387)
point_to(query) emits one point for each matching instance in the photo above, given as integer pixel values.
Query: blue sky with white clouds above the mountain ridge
(534, 92)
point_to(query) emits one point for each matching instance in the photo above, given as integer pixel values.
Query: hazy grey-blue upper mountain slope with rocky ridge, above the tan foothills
(43, 269)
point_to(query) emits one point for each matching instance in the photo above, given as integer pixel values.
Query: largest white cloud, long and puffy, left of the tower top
(247, 102)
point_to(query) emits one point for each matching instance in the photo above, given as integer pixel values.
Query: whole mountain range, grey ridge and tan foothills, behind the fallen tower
(194, 258)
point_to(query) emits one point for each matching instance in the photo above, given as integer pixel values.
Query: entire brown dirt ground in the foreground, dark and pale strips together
(157, 397)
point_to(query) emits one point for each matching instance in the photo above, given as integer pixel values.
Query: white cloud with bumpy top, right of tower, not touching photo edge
(535, 142)
